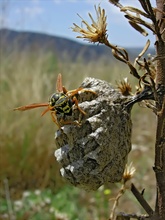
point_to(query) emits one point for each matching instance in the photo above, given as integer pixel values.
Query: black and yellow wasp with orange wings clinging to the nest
(60, 103)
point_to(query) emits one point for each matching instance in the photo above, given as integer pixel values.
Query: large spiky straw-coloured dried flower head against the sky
(96, 32)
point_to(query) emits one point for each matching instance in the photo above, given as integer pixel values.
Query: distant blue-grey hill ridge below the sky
(62, 47)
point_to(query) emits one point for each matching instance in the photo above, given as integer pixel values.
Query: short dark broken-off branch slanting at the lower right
(141, 200)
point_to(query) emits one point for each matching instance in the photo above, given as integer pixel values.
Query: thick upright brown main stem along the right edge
(160, 133)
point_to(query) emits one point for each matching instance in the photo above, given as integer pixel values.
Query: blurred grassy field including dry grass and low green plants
(30, 184)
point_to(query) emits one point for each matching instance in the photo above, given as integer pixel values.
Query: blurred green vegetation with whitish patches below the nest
(46, 205)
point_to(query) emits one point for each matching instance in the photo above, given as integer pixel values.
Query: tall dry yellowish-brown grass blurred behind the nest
(27, 140)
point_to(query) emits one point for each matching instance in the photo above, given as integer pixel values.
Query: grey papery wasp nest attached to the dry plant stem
(96, 152)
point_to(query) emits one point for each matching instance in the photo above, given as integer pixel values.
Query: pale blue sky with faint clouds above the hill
(55, 17)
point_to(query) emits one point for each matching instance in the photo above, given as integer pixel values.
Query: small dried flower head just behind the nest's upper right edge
(125, 87)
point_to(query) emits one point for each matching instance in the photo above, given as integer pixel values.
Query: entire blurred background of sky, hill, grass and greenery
(36, 43)
